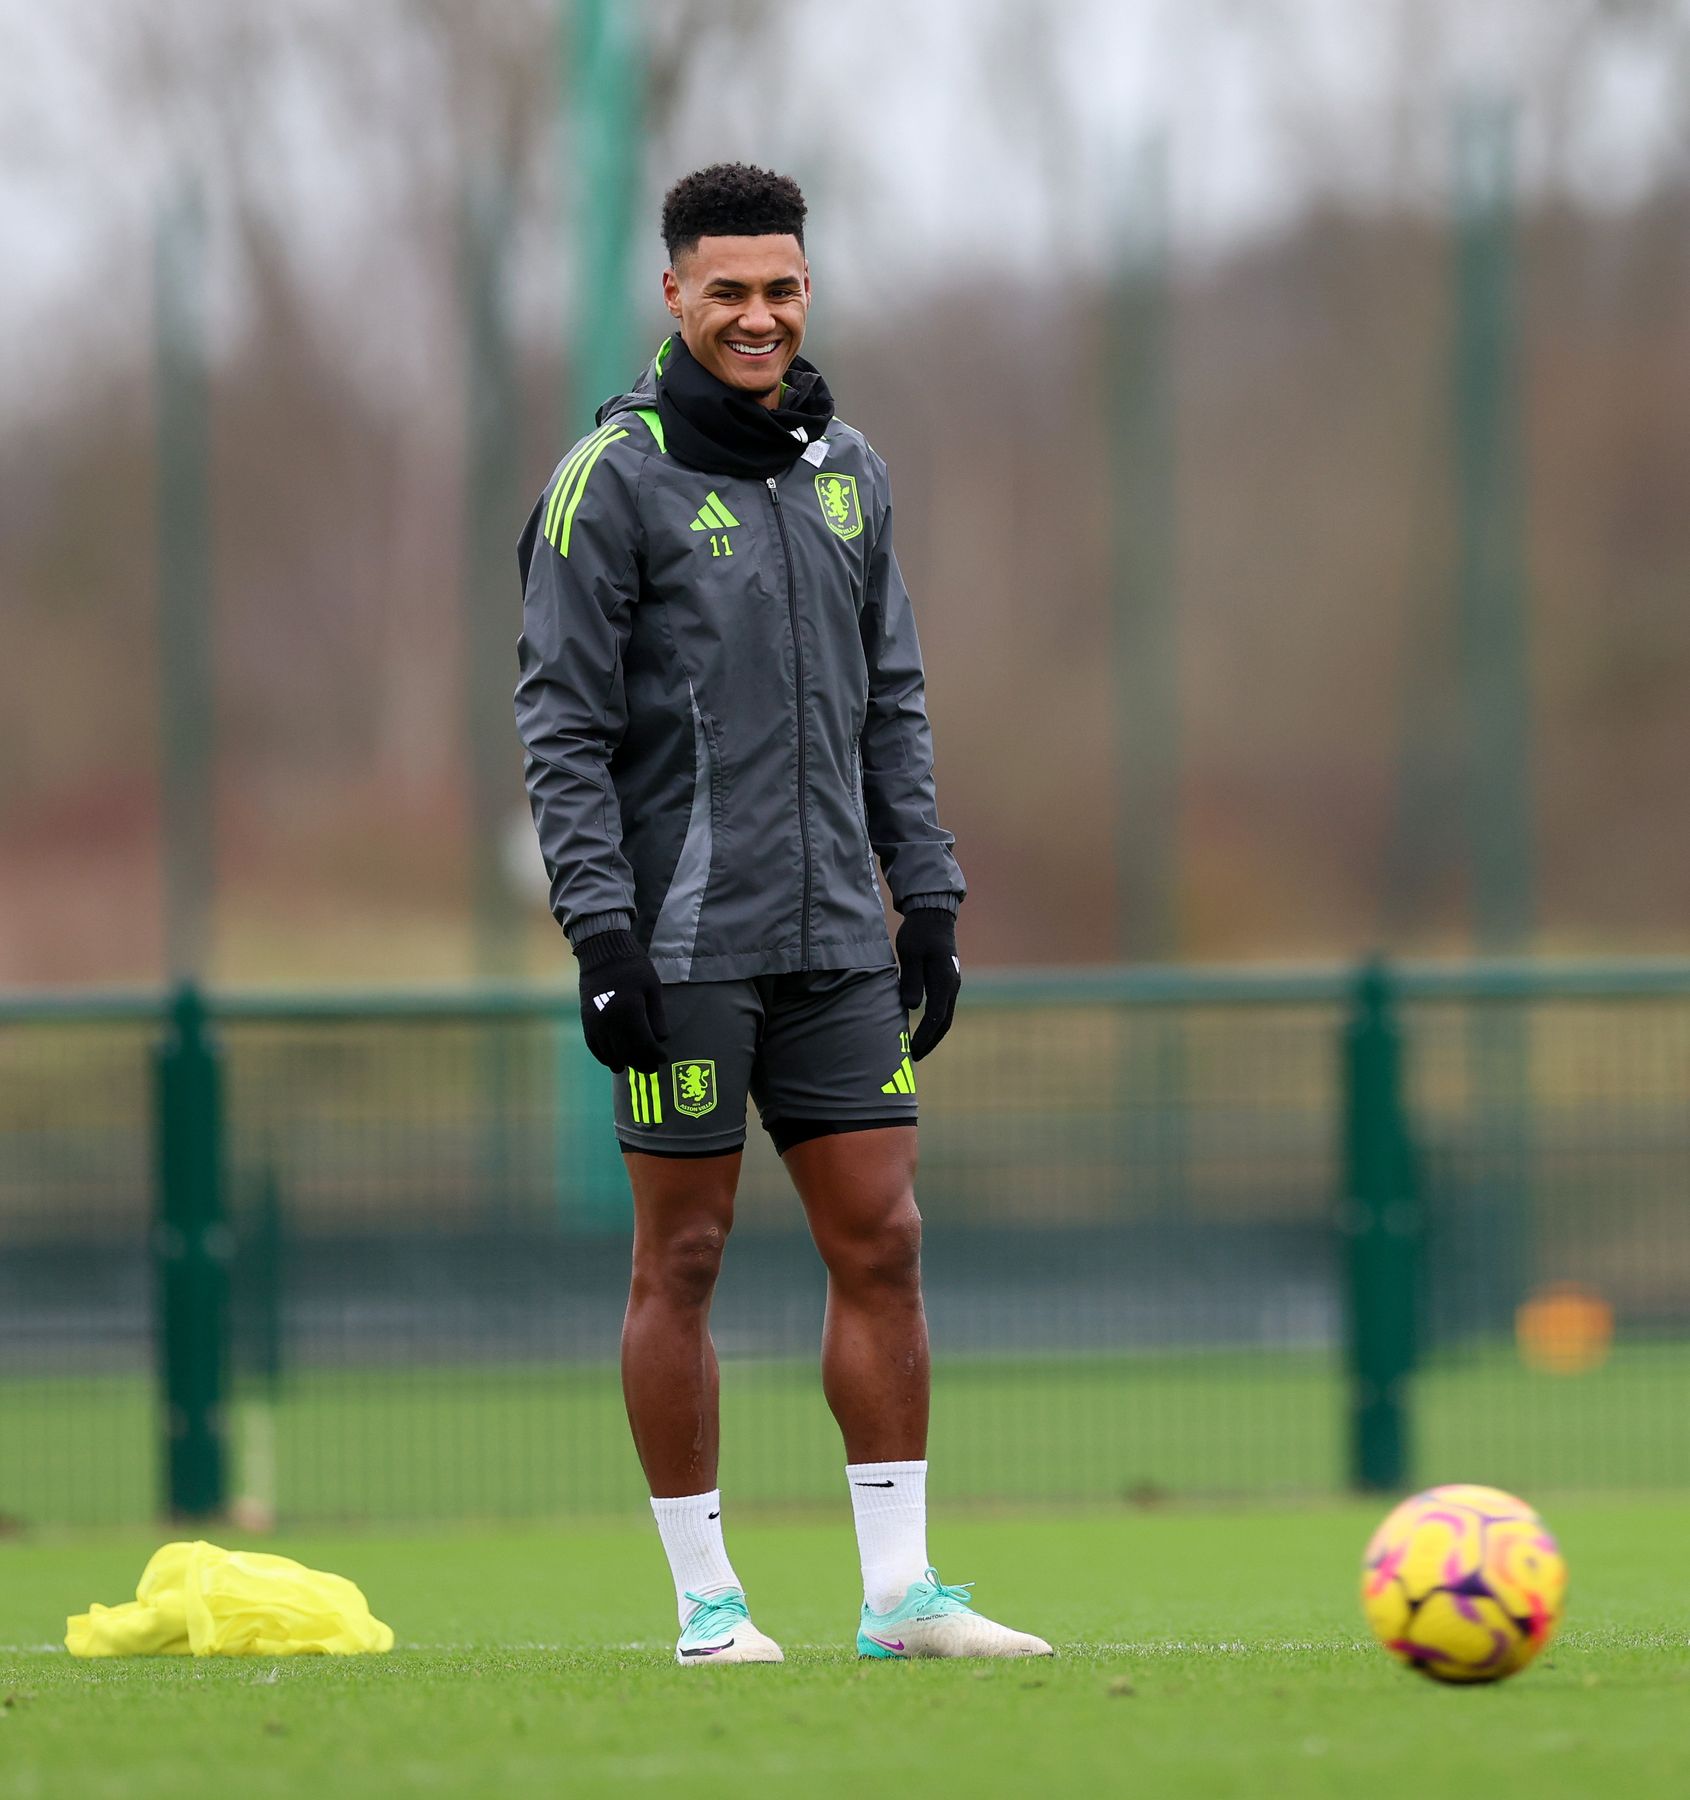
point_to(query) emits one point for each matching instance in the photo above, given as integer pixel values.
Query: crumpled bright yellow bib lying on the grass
(202, 1601)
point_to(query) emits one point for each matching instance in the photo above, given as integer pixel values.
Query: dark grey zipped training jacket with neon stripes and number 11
(723, 706)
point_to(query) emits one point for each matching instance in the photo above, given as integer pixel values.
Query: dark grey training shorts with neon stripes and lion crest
(823, 1047)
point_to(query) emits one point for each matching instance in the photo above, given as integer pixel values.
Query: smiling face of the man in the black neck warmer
(742, 307)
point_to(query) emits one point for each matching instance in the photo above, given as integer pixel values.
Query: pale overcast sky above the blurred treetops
(987, 134)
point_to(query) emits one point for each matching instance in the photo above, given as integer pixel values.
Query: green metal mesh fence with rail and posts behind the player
(1187, 1234)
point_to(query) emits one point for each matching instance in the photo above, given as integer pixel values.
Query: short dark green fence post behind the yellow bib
(192, 1261)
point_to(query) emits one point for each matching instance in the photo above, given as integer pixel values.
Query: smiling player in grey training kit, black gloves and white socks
(723, 706)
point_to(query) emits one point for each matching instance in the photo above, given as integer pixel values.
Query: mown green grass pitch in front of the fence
(1205, 1653)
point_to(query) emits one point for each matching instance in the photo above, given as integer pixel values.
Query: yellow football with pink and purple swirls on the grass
(1464, 1585)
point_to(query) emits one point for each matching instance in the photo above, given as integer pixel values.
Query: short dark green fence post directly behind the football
(1381, 1225)
